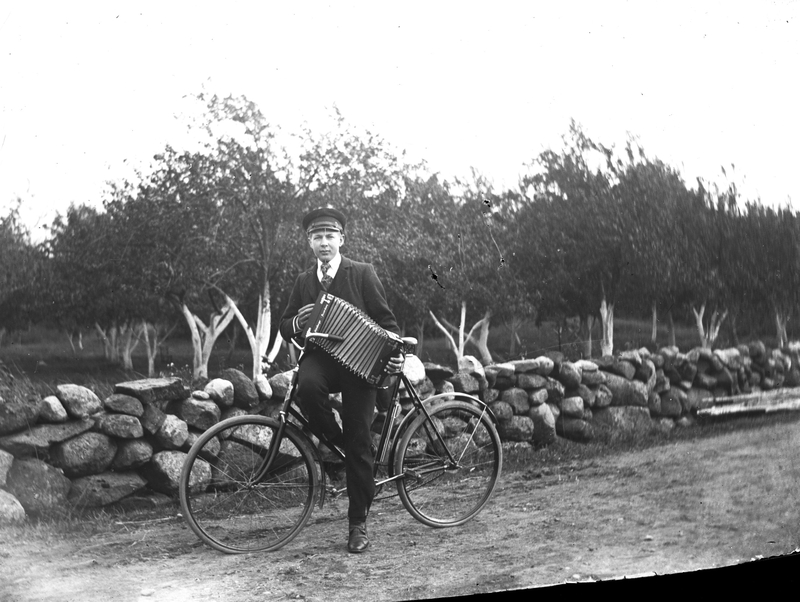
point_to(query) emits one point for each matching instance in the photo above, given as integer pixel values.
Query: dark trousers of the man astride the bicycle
(318, 376)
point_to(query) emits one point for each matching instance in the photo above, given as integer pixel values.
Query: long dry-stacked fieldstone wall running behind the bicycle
(74, 450)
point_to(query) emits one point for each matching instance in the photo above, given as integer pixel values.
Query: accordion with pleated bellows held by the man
(351, 337)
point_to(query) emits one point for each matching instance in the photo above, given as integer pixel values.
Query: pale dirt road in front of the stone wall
(695, 504)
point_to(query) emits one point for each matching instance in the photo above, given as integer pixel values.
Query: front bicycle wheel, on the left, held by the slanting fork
(232, 501)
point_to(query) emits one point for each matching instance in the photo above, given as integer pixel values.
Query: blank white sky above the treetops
(88, 89)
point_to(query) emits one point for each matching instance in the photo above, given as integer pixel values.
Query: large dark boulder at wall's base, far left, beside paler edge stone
(41, 488)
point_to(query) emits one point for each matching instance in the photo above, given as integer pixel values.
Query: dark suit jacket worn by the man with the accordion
(355, 282)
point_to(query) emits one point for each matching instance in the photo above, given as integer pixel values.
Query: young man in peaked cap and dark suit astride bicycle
(320, 374)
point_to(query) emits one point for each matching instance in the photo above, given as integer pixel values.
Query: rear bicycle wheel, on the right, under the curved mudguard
(450, 464)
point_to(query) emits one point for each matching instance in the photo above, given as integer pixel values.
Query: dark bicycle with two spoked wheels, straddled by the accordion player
(266, 475)
